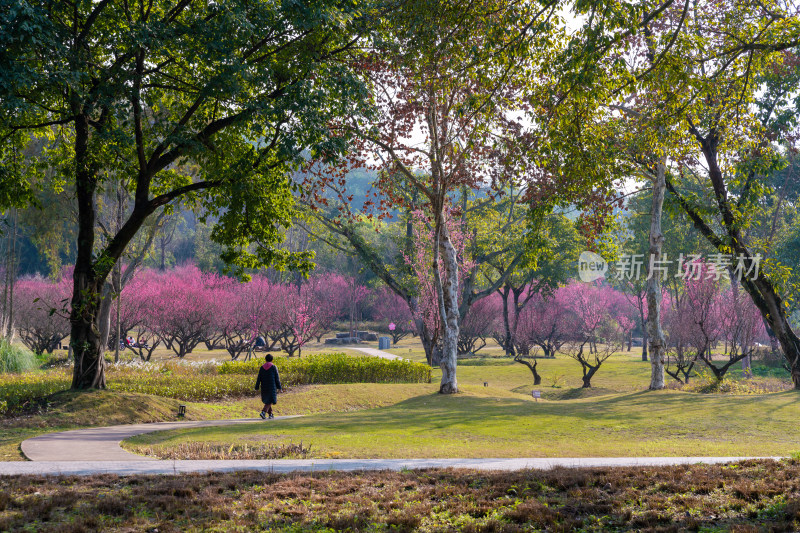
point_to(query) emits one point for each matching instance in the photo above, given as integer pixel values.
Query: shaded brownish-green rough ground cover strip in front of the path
(747, 496)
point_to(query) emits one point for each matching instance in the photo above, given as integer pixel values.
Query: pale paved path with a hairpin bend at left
(97, 451)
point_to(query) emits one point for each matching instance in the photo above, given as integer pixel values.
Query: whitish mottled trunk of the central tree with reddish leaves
(447, 286)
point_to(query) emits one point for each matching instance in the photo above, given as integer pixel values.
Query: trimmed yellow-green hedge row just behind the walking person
(337, 368)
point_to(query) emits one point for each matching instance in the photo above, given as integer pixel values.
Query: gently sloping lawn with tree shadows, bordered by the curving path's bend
(483, 422)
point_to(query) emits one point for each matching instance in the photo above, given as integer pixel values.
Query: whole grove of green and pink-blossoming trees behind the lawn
(442, 162)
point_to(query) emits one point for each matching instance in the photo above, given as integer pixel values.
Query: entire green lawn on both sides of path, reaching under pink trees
(404, 420)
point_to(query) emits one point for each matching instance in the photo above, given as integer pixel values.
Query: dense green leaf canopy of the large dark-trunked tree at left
(207, 103)
